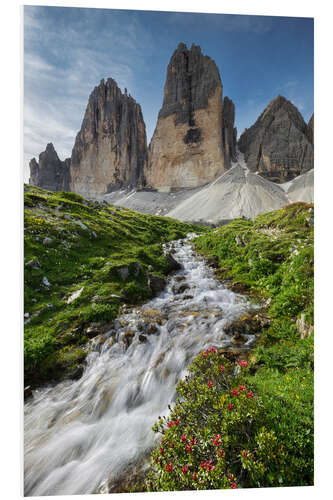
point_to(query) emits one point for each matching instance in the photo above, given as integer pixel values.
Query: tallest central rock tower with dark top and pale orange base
(186, 149)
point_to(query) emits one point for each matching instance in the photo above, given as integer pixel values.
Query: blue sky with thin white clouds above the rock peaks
(67, 51)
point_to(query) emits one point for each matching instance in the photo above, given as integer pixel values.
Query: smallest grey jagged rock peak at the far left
(50, 172)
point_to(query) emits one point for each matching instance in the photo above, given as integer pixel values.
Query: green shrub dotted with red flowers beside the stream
(215, 436)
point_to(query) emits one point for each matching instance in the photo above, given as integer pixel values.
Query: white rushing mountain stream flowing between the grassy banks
(80, 434)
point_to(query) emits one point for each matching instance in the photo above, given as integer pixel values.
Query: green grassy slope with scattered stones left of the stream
(87, 243)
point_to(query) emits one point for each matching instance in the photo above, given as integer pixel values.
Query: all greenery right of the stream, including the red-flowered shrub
(256, 428)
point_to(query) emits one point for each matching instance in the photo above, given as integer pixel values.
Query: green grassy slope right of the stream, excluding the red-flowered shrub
(272, 257)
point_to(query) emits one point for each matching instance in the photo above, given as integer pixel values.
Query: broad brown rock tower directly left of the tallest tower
(110, 150)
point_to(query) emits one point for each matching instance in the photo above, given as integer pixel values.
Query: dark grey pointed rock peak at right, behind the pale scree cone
(277, 145)
